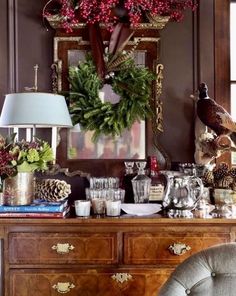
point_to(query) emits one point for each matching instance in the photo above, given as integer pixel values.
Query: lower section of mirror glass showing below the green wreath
(130, 145)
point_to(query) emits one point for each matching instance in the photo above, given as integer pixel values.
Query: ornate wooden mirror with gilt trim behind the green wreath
(106, 156)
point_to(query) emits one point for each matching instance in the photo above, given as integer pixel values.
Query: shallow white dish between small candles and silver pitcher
(141, 209)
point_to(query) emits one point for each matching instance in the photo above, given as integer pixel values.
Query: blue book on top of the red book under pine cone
(36, 207)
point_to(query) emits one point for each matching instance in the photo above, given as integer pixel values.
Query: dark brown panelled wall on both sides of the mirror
(187, 52)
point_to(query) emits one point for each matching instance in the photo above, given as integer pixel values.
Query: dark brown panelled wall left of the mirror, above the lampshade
(26, 42)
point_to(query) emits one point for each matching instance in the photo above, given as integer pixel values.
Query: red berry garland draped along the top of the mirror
(110, 12)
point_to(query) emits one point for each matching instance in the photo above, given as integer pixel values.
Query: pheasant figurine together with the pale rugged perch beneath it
(211, 145)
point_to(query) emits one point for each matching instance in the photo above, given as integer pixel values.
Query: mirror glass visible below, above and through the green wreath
(129, 145)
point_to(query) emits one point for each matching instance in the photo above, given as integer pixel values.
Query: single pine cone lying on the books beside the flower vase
(52, 189)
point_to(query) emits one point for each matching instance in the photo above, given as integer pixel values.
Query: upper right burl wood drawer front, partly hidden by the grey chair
(169, 248)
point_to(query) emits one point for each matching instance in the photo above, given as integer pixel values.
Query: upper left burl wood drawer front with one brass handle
(56, 248)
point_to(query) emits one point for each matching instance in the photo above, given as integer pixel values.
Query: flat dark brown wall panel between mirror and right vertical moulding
(177, 57)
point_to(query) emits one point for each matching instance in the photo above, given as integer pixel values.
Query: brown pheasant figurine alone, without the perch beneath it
(214, 115)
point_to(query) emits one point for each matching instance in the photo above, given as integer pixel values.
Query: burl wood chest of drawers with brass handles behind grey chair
(96, 257)
